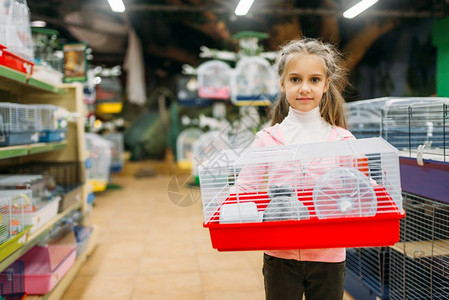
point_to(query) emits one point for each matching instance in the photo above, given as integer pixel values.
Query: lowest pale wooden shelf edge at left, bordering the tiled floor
(65, 282)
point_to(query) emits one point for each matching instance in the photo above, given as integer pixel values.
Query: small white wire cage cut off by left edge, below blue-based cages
(12, 207)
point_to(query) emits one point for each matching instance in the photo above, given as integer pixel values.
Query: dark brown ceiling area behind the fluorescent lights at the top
(172, 31)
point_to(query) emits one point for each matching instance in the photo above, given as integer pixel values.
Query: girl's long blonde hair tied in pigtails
(332, 105)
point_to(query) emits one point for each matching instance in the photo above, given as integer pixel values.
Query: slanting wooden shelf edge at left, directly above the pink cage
(37, 236)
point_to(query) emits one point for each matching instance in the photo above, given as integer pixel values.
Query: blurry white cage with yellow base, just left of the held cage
(184, 147)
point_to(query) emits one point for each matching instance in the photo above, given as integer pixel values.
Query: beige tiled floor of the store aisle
(152, 248)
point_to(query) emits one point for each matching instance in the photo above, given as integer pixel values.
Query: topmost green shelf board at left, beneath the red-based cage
(10, 79)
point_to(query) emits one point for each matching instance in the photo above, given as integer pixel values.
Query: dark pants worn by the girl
(288, 279)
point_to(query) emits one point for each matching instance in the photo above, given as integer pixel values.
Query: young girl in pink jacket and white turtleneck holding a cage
(310, 109)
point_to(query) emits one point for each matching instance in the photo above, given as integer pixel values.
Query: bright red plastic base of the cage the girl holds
(379, 230)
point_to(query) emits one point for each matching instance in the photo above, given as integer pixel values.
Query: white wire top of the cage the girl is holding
(354, 178)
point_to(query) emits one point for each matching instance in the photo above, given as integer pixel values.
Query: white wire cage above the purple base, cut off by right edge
(418, 127)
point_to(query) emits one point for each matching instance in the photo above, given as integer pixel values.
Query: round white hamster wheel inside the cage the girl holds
(344, 192)
